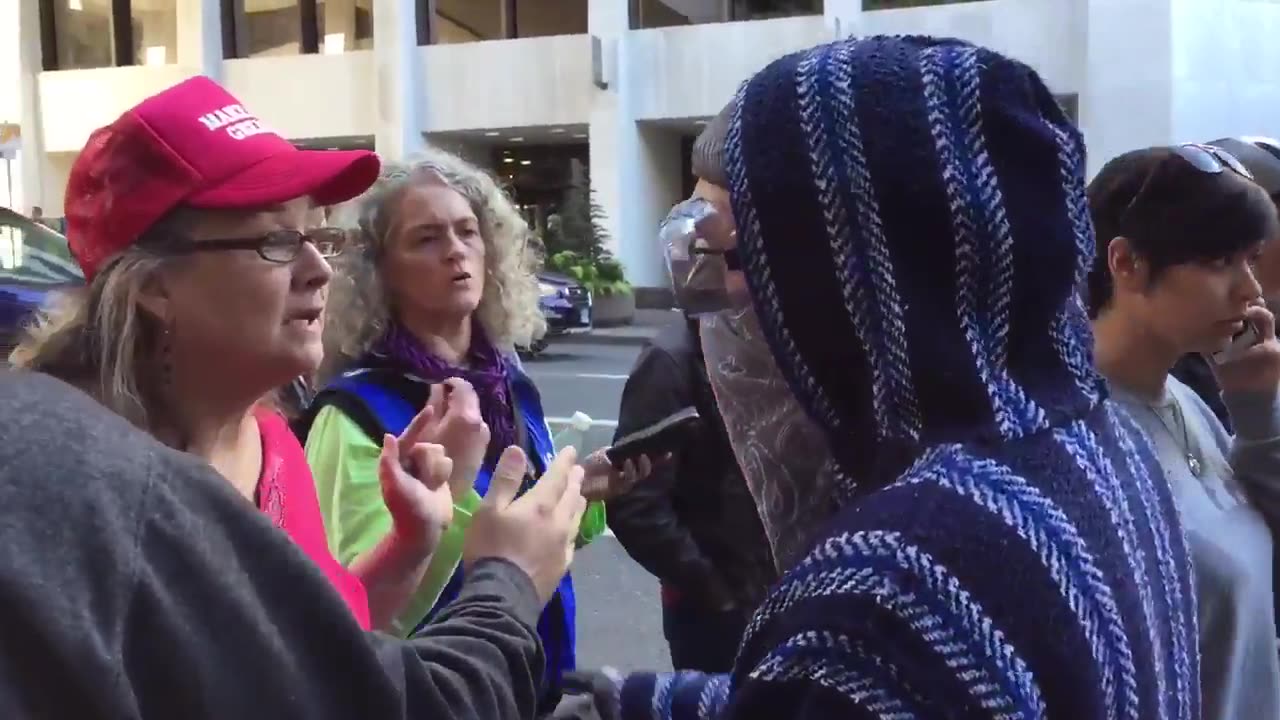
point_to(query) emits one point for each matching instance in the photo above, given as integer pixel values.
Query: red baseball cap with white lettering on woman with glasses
(196, 145)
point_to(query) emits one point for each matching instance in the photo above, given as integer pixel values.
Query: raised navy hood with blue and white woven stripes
(913, 222)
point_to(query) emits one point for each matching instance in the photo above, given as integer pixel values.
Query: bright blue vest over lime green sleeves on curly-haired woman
(394, 412)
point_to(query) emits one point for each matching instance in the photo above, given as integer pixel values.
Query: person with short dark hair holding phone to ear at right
(1178, 234)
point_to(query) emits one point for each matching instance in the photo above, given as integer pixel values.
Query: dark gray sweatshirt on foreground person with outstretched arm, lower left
(136, 584)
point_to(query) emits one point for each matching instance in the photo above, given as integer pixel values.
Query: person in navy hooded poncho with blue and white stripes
(912, 222)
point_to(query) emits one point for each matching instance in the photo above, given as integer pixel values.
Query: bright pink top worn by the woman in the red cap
(287, 494)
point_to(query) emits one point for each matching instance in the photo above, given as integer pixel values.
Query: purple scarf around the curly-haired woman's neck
(486, 372)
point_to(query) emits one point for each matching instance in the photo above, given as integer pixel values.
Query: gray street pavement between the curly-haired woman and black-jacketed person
(619, 614)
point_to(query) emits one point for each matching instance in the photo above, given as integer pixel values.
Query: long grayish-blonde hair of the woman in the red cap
(99, 340)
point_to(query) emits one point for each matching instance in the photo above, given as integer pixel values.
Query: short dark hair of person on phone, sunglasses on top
(1173, 213)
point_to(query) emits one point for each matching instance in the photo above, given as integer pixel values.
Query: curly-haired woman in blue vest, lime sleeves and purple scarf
(438, 291)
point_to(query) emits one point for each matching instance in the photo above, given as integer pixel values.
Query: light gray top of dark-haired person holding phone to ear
(1226, 512)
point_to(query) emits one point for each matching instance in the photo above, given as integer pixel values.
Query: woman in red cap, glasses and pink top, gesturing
(195, 227)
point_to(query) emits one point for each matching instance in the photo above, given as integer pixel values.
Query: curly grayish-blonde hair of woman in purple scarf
(360, 309)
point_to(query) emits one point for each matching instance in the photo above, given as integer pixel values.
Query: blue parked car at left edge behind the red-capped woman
(34, 261)
